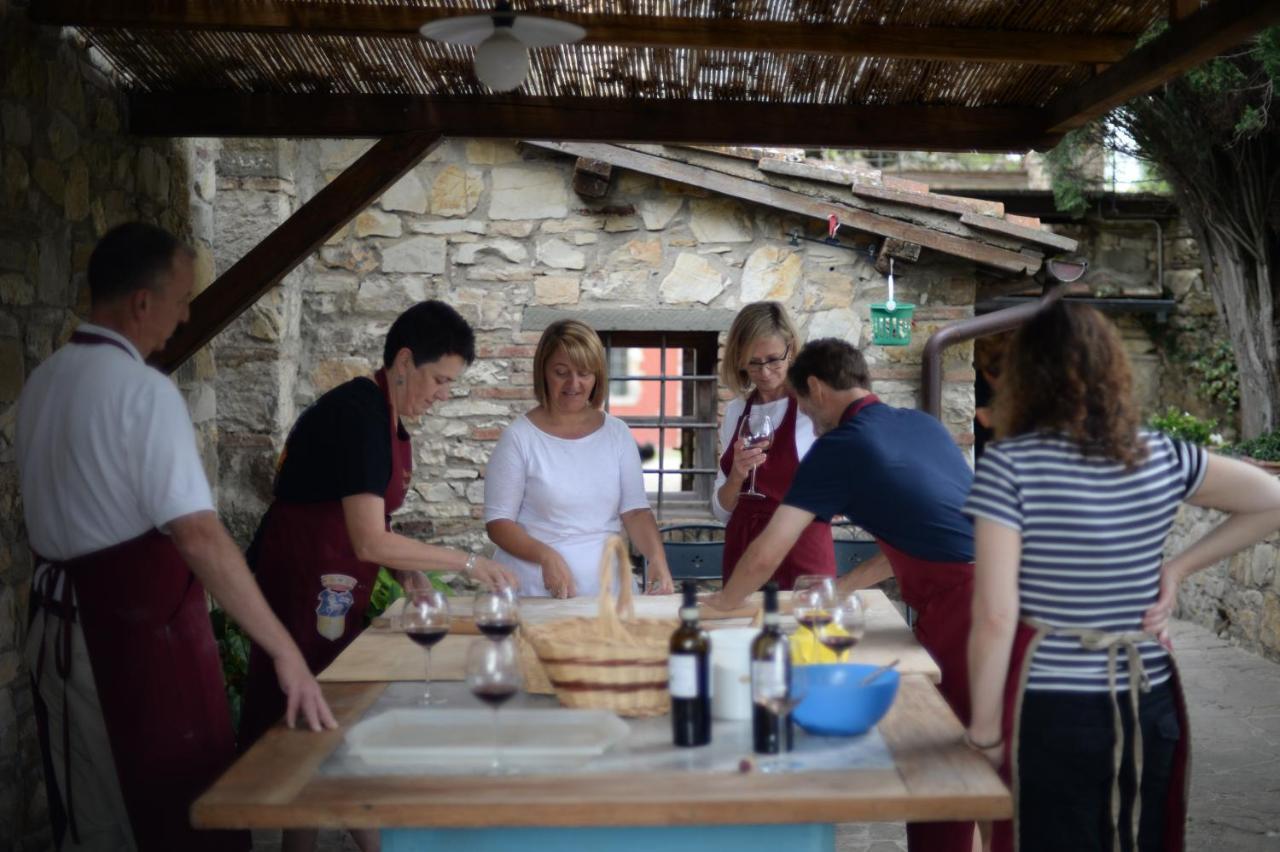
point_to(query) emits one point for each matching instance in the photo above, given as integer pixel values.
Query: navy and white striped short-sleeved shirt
(1094, 538)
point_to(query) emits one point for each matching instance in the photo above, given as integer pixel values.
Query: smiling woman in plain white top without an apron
(566, 477)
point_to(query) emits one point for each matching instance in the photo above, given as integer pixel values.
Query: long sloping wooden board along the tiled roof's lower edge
(798, 204)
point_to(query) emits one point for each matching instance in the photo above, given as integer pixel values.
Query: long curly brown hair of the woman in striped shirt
(1067, 372)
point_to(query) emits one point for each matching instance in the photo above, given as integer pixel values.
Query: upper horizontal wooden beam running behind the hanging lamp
(633, 31)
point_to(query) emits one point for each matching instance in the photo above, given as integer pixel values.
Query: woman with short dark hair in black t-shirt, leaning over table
(346, 468)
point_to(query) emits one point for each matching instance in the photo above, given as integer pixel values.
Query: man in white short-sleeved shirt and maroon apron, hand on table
(129, 684)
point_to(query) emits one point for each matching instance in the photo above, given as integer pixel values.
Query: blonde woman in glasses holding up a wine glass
(757, 354)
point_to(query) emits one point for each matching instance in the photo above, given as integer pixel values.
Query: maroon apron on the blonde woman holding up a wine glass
(813, 552)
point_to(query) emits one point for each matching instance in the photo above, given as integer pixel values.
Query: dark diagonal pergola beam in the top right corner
(1188, 43)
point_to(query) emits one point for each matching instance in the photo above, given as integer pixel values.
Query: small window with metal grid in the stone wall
(668, 397)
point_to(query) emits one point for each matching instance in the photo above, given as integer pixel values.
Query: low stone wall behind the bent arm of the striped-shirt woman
(1240, 598)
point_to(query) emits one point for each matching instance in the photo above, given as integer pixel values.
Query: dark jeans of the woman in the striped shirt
(1064, 767)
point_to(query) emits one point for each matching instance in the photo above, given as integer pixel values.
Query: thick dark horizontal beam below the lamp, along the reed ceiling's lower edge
(934, 129)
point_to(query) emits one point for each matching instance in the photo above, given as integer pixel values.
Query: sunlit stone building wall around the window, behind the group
(495, 230)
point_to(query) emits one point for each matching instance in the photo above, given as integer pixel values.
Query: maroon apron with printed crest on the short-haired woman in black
(316, 584)
